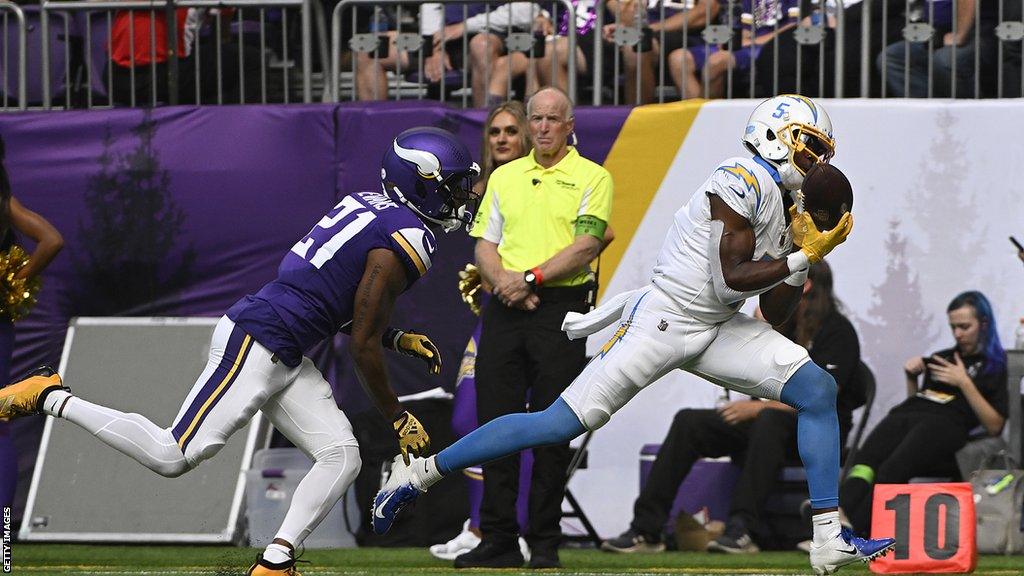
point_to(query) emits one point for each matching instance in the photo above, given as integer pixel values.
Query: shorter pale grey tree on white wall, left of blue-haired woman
(899, 324)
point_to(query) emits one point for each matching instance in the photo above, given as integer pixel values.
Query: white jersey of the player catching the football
(684, 269)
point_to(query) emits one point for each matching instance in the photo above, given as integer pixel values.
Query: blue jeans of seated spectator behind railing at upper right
(895, 63)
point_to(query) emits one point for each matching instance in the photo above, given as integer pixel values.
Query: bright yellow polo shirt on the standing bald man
(530, 212)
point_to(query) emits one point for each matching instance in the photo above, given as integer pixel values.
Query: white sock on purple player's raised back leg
(132, 435)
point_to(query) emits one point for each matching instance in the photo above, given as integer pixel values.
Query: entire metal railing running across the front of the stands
(88, 55)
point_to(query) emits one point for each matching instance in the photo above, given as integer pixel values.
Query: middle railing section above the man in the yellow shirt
(378, 47)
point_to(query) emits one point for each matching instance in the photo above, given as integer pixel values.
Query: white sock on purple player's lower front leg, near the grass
(320, 490)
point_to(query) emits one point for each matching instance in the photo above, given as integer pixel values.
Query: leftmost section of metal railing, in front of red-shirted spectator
(89, 55)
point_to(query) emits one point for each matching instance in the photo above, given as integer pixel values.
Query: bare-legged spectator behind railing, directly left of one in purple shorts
(647, 19)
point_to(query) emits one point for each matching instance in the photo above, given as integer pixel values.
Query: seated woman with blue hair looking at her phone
(964, 389)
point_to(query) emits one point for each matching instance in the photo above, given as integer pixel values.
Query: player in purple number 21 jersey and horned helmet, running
(346, 276)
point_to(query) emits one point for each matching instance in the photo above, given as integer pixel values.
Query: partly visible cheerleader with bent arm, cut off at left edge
(16, 222)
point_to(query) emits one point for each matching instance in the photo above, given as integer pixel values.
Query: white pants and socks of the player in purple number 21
(240, 379)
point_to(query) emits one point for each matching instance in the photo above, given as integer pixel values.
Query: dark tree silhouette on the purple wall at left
(131, 232)
